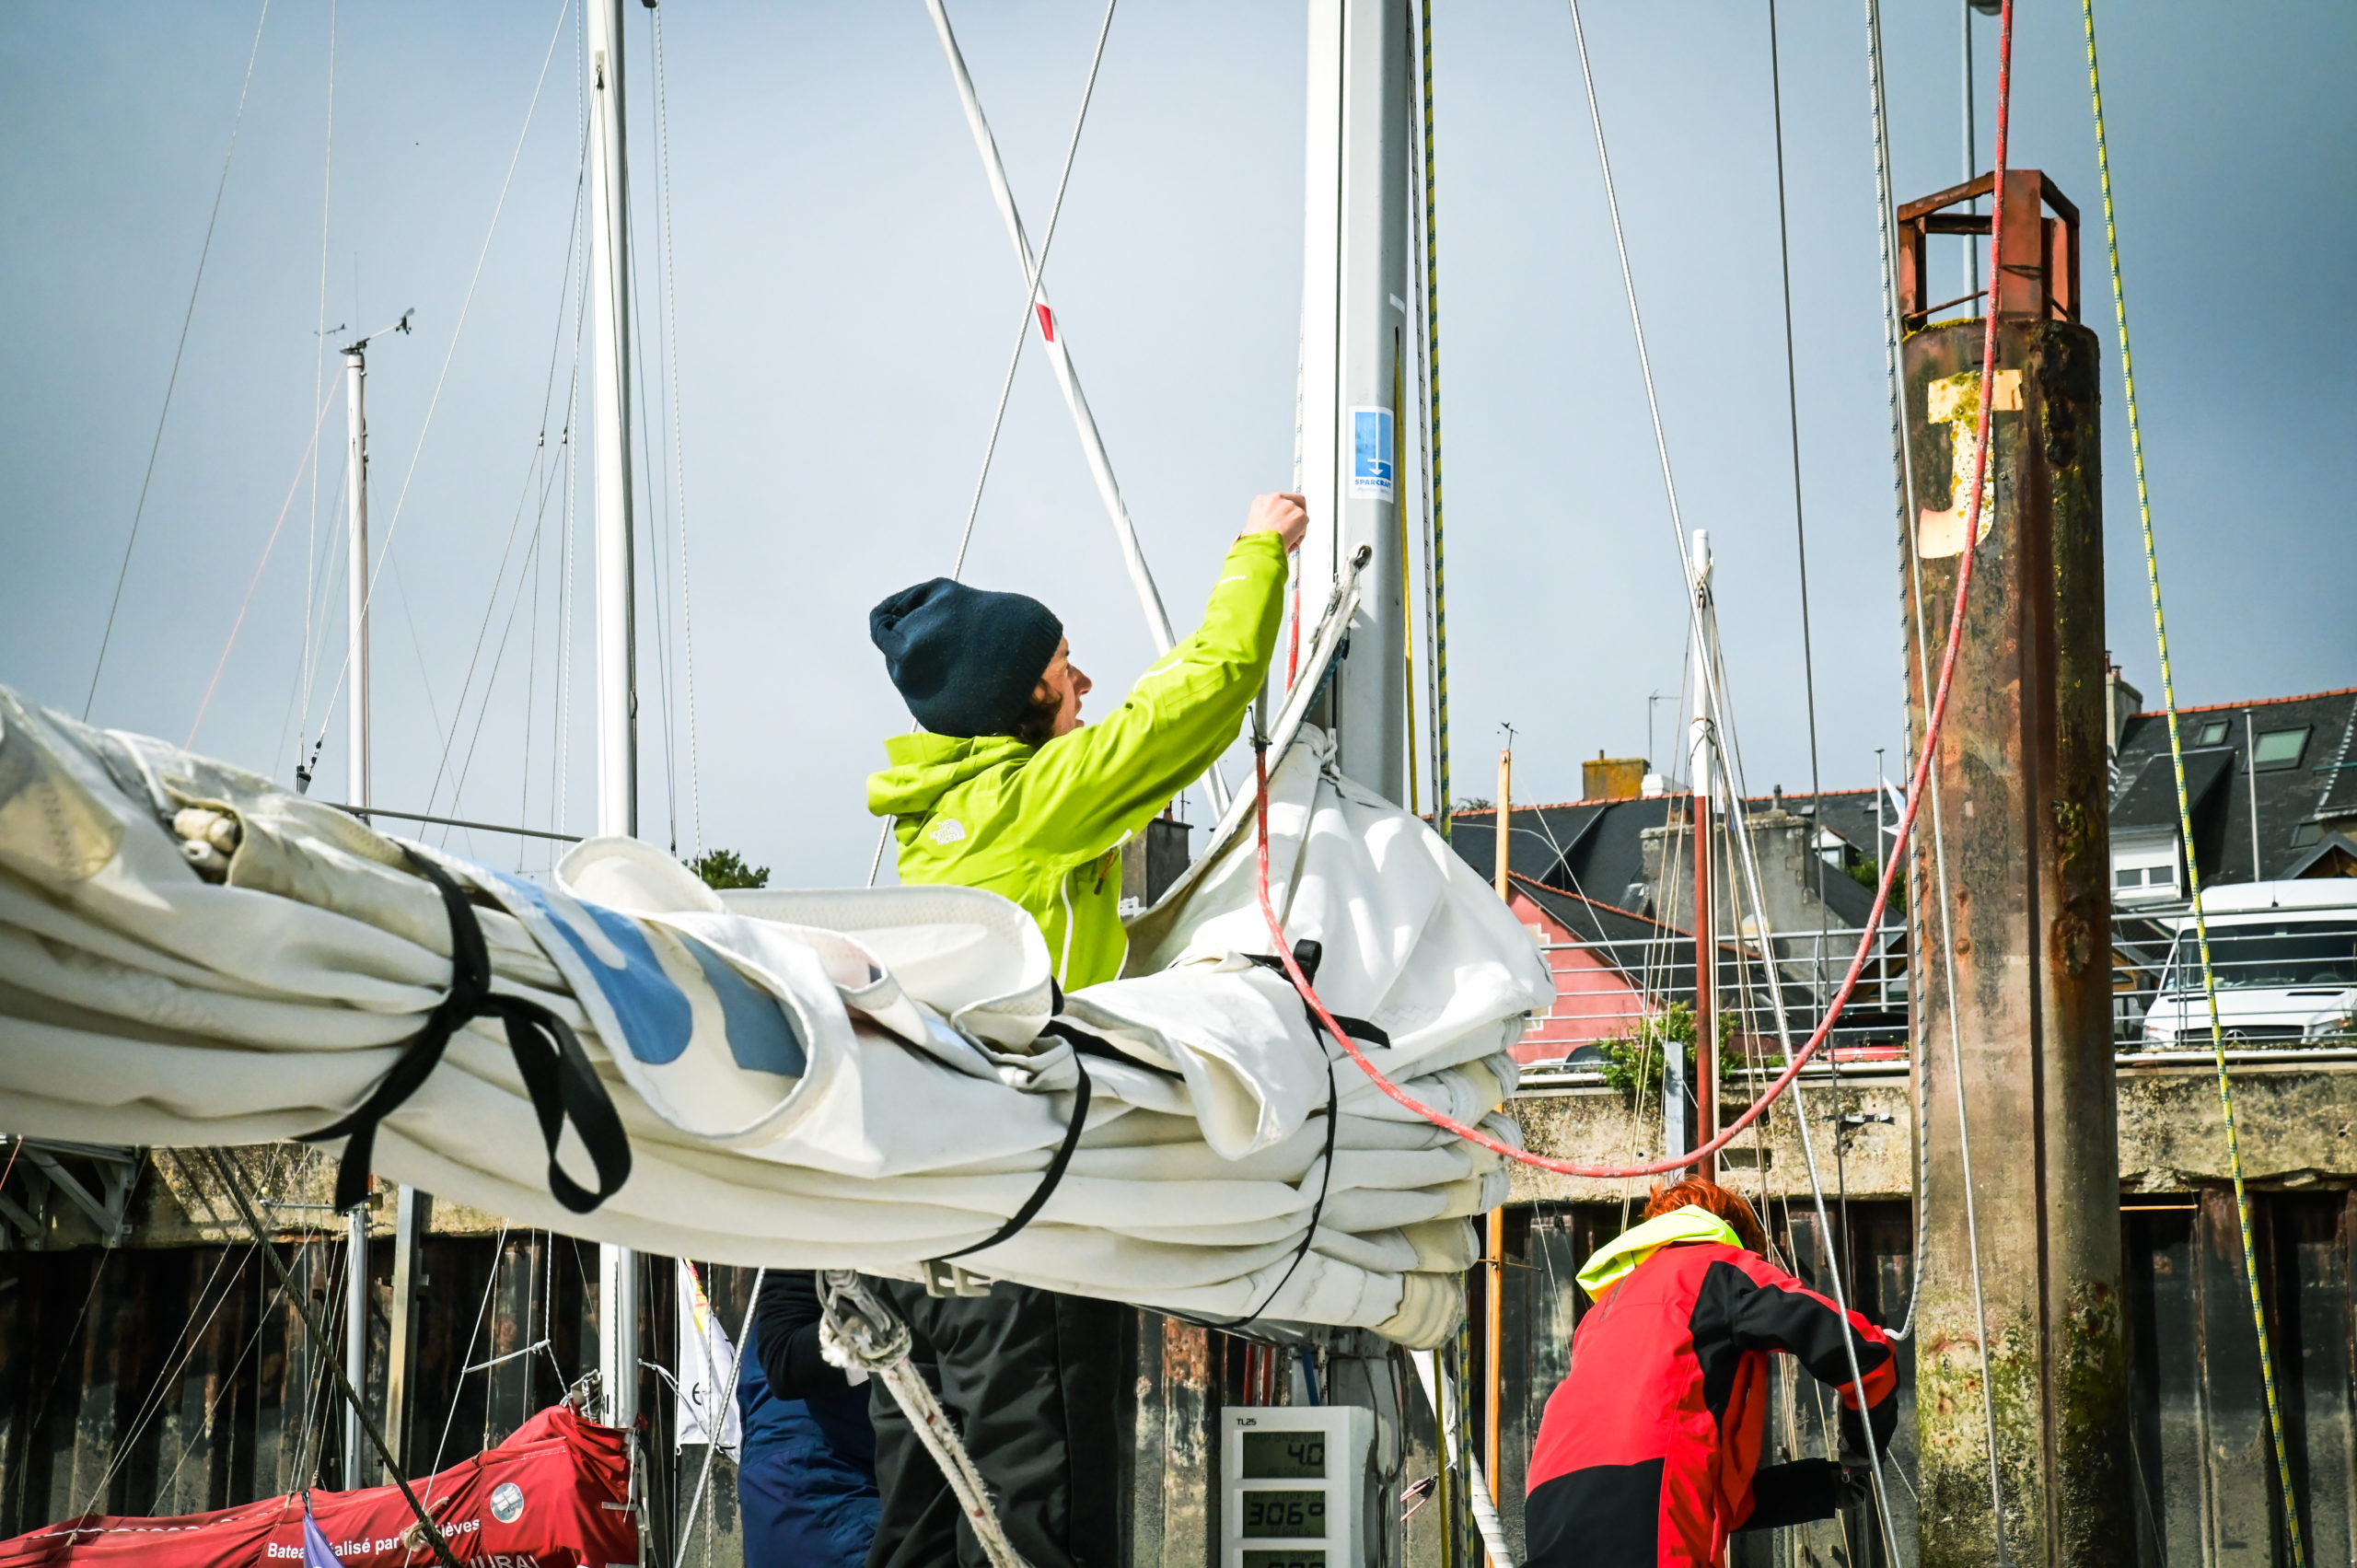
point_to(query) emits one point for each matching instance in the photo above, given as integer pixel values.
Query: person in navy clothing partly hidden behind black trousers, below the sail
(807, 1482)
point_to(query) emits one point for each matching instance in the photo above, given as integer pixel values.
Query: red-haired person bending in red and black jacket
(1649, 1451)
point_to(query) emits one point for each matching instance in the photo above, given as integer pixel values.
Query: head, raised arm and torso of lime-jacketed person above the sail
(1008, 786)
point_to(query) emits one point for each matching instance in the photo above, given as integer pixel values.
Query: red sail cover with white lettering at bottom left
(553, 1496)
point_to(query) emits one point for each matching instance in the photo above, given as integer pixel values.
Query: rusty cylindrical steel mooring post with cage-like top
(2023, 786)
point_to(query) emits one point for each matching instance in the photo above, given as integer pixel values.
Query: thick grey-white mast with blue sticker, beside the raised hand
(1354, 327)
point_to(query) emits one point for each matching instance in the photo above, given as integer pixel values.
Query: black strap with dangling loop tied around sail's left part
(550, 1058)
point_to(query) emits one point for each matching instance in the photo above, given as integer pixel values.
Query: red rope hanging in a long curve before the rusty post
(1908, 817)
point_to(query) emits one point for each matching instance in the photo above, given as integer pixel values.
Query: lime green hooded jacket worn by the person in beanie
(1045, 824)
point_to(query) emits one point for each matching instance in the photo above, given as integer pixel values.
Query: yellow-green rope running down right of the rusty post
(2186, 836)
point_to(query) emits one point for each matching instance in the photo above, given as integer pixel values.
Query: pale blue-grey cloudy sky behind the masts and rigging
(845, 303)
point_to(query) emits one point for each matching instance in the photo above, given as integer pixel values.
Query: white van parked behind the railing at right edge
(2285, 961)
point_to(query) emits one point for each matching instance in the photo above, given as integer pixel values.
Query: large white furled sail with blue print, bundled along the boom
(807, 1079)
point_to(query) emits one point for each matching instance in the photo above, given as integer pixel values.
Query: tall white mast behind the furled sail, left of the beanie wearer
(616, 633)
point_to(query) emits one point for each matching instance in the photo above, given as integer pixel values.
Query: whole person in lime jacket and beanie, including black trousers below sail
(1008, 789)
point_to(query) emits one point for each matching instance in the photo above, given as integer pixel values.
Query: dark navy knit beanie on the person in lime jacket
(965, 661)
